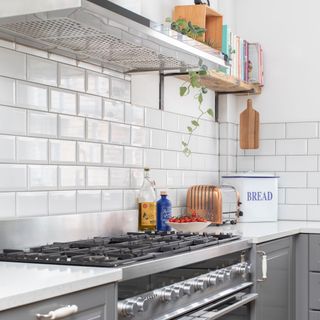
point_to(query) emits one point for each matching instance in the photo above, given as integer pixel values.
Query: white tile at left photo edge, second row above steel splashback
(13, 177)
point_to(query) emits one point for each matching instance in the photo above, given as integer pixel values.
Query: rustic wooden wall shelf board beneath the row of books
(221, 83)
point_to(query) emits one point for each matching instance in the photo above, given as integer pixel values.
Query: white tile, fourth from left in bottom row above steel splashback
(88, 201)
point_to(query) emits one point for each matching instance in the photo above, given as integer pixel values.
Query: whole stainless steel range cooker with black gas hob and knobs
(170, 275)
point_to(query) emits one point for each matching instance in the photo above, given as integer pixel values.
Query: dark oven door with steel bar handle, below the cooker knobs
(233, 307)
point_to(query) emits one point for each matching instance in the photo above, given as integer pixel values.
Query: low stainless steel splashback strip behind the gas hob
(25, 233)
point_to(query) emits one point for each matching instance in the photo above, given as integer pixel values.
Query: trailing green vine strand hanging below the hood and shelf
(194, 83)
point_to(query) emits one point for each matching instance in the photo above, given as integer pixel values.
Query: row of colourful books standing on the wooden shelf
(246, 59)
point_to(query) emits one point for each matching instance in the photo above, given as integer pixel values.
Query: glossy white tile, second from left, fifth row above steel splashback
(32, 96)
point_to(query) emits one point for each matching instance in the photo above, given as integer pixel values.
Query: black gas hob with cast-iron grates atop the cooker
(116, 251)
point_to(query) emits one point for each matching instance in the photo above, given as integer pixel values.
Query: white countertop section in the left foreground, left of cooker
(23, 283)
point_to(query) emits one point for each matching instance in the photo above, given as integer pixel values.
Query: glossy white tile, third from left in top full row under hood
(71, 77)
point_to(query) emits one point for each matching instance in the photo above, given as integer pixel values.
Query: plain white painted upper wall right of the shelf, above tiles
(287, 30)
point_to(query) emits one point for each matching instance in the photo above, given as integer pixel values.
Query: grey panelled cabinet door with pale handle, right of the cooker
(276, 292)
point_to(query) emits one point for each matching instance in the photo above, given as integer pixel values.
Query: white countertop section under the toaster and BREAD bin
(266, 231)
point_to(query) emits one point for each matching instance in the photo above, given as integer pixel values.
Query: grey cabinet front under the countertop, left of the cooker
(97, 303)
